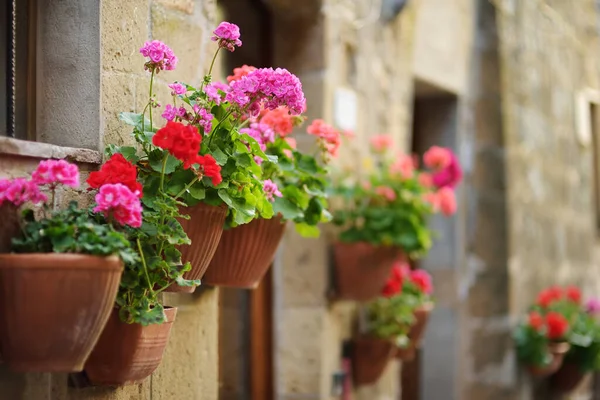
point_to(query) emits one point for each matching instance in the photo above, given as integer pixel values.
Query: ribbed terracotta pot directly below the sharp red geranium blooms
(204, 228)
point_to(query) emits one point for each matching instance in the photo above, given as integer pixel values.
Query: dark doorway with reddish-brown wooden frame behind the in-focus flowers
(245, 316)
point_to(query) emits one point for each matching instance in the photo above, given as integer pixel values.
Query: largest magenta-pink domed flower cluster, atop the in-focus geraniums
(269, 88)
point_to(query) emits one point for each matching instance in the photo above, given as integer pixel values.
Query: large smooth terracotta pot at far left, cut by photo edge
(53, 308)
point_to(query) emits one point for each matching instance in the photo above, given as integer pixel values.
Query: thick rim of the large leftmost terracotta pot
(59, 261)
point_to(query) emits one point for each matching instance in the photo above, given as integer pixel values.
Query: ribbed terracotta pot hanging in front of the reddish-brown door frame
(245, 253)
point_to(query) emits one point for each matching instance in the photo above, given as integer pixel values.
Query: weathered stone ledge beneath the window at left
(25, 148)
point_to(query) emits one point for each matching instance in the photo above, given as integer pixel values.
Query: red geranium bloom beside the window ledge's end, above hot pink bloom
(116, 170)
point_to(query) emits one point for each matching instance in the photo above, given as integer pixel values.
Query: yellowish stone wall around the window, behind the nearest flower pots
(190, 367)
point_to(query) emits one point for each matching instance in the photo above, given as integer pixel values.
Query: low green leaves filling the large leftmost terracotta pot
(72, 230)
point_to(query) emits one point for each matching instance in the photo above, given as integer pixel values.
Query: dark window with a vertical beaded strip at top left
(17, 68)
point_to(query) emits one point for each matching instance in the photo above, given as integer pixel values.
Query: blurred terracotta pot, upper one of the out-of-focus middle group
(362, 269)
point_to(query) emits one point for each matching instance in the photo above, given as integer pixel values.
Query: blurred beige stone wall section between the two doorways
(374, 62)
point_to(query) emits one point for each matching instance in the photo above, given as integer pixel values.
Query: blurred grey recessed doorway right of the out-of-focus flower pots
(435, 123)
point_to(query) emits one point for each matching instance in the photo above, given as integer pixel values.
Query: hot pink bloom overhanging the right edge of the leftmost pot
(118, 201)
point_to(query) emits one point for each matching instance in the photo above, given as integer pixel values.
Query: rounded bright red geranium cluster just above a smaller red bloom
(181, 141)
